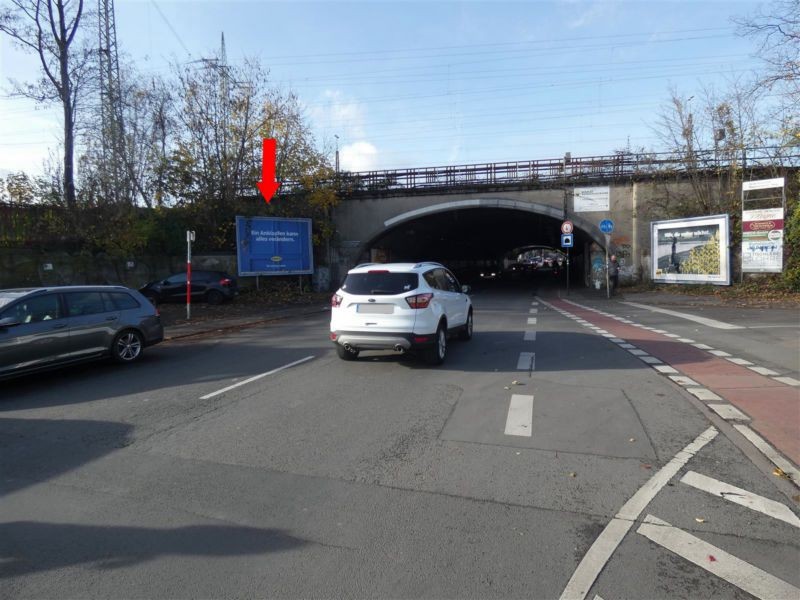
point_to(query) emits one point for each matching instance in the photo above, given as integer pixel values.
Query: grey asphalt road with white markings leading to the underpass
(541, 459)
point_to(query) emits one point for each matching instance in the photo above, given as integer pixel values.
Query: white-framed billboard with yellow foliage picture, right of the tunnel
(691, 250)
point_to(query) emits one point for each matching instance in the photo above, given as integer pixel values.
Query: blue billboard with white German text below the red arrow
(271, 246)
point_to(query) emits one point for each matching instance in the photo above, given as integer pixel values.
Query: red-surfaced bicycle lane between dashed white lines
(773, 407)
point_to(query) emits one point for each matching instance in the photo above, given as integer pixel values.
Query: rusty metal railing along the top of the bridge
(548, 171)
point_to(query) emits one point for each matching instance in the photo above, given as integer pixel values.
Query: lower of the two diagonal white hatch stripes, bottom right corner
(734, 570)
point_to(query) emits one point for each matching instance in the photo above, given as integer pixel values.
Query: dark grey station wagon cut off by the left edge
(42, 328)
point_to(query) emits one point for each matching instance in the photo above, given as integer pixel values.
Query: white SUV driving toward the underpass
(402, 307)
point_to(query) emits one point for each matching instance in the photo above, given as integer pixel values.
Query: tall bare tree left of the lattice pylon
(48, 29)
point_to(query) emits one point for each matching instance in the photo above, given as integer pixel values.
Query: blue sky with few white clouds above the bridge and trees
(431, 83)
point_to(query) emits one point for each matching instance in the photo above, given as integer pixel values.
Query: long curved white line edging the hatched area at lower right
(606, 543)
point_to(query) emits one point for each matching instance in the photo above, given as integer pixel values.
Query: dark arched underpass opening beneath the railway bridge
(515, 245)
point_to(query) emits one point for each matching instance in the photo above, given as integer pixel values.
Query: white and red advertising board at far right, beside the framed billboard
(762, 240)
